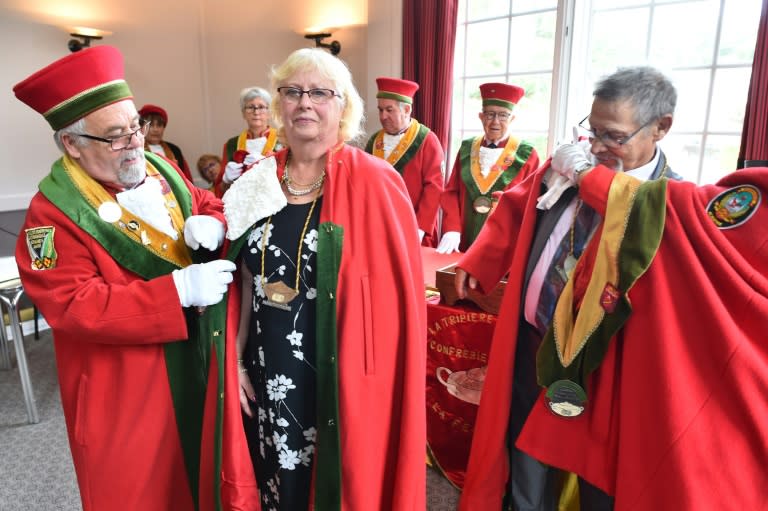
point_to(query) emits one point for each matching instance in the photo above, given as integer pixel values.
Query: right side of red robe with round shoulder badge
(677, 414)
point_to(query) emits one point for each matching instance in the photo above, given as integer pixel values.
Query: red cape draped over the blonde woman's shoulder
(371, 327)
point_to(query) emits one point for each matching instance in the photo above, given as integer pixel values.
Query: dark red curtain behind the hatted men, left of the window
(429, 36)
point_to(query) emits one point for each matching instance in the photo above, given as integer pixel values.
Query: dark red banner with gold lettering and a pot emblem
(458, 340)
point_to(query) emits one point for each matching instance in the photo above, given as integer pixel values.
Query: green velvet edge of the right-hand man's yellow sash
(639, 245)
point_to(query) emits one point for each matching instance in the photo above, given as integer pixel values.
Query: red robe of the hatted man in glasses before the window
(454, 198)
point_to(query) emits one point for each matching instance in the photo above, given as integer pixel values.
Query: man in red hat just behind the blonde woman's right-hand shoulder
(412, 149)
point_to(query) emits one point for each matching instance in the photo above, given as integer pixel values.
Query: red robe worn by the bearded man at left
(110, 329)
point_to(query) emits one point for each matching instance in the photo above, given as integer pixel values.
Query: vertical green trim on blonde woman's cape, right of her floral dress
(328, 471)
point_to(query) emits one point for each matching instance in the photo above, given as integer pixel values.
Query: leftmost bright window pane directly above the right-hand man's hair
(618, 39)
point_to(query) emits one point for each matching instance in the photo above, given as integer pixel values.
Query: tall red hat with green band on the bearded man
(76, 85)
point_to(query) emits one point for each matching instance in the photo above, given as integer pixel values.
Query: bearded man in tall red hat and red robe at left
(112, 252)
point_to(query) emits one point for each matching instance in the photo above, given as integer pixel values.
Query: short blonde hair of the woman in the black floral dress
(331, 68)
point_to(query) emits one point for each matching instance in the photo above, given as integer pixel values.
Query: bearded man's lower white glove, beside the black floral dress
(204, 284)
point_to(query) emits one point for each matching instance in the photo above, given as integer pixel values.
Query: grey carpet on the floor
(36, 472)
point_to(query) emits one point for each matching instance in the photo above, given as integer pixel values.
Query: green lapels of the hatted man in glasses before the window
(474, 221)
